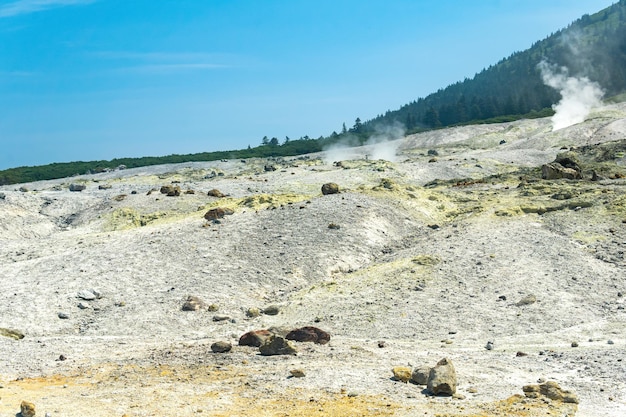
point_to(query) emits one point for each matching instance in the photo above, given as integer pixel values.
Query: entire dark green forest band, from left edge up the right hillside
(593, 46)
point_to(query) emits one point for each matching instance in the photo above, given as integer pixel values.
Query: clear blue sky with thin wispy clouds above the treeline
(101, 79)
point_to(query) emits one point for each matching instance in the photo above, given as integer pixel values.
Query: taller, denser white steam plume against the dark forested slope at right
(578, 95)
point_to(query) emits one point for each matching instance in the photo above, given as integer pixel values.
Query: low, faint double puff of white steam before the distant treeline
(383, 144)
